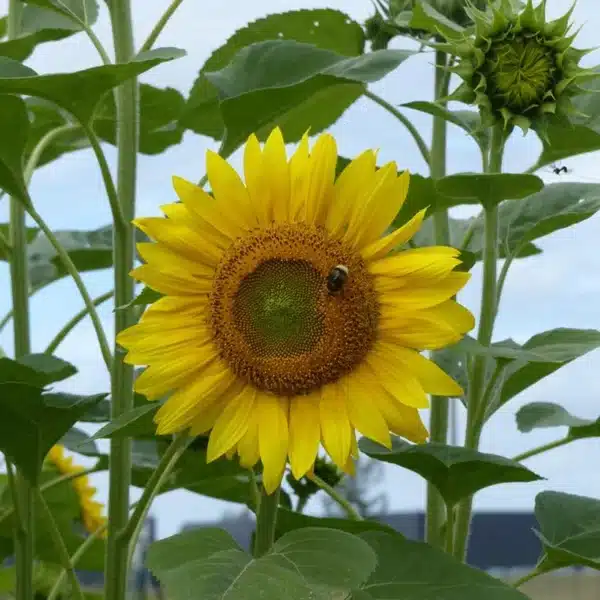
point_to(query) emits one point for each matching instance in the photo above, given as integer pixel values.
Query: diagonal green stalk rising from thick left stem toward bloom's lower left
(131, 532)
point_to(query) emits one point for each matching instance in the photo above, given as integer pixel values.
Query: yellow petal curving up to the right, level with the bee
(422, 294)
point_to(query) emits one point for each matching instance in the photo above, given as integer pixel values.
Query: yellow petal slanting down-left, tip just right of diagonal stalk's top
(232, 423)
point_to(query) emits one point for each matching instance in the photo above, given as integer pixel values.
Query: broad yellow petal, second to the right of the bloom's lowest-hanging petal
(335, 424)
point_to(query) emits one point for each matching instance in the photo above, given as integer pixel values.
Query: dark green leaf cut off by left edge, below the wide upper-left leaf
(14, 125)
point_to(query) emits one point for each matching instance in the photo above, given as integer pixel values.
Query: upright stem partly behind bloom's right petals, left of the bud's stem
(438, 424)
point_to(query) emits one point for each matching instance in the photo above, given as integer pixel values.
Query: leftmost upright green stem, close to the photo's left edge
(19, 278)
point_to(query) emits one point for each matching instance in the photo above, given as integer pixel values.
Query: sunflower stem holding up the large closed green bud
(476, 392)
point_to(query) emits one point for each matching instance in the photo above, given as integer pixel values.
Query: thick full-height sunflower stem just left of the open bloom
(127, 113)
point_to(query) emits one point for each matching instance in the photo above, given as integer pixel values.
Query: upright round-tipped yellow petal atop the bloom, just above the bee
(322, 174)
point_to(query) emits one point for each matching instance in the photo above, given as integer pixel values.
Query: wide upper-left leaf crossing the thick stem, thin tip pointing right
(91, 84)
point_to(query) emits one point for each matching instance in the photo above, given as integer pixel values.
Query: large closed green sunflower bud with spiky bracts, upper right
(518, 68)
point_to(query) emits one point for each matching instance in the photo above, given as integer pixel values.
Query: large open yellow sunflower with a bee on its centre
(286, 322)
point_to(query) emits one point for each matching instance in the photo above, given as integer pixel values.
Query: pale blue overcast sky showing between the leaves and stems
(558, 288)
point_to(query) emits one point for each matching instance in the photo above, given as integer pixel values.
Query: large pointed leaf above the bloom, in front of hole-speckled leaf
(290, 74)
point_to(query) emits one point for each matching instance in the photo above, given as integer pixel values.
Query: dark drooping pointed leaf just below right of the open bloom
(455, 471)
